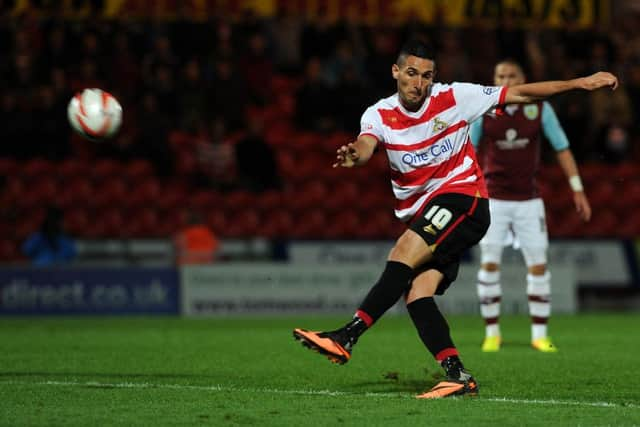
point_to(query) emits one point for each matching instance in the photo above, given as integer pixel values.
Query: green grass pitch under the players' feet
(236, 371)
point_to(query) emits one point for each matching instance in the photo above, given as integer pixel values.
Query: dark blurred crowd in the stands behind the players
(226, 105)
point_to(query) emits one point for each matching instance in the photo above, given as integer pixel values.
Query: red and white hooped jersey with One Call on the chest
(429, 150)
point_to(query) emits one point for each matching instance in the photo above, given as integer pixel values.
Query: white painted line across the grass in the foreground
(219, 388)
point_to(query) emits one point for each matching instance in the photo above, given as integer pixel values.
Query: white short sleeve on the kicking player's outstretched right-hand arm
(474, 100)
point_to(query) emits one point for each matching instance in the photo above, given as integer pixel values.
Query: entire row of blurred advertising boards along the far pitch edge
(317, 277)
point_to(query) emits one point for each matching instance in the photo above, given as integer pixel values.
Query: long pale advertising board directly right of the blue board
(269, 288)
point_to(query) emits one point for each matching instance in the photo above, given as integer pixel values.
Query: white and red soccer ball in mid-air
(95, 114)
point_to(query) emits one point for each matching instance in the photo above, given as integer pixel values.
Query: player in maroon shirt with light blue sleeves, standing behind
(509, 148)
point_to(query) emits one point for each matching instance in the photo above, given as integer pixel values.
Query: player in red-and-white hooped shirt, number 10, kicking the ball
(440, 193)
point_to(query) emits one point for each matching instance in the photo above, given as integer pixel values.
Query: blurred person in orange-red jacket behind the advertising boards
(196, 243)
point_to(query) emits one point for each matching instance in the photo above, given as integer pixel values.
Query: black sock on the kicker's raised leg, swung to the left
(394, 281)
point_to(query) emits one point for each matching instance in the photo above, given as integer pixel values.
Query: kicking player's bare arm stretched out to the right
(535, 91)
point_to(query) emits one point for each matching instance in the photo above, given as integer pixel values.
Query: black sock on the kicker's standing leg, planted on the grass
(432, 328)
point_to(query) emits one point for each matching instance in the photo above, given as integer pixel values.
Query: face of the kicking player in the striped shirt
(414, 77)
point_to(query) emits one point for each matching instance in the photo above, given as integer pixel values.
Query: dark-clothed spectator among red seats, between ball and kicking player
(255, 161)
